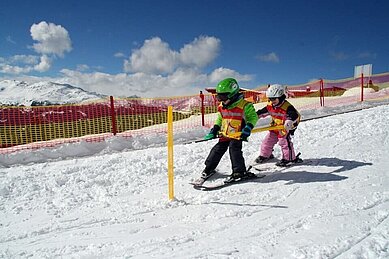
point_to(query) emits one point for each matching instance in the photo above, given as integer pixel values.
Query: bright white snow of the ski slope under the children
(110, 200)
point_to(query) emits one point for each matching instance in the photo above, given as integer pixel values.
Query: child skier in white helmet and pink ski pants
(282, 113)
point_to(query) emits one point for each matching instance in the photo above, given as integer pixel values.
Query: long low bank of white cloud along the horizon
(183, 81)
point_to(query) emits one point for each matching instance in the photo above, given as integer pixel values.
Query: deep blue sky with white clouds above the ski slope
(154, 48)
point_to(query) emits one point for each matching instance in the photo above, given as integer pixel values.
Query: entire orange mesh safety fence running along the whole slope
(46, 126)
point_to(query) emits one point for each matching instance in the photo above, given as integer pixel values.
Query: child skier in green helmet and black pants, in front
(235, 114)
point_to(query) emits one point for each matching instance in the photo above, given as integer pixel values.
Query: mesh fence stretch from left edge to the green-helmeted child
(46, 126)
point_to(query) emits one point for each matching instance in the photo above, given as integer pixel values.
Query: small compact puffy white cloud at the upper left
(52, 39)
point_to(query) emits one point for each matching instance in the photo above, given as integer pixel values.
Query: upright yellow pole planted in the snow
(170, 151)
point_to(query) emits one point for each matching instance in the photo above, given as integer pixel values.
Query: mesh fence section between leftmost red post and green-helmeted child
(149, 115)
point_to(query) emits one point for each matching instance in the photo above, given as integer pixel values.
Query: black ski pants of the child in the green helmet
(236, 155)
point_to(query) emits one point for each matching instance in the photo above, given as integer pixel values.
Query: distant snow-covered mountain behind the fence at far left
(42, 93)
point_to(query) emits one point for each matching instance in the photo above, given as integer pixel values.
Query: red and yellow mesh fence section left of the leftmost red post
(23, 125)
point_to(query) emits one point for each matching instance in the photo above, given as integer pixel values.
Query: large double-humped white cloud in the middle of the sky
(156, 57)
